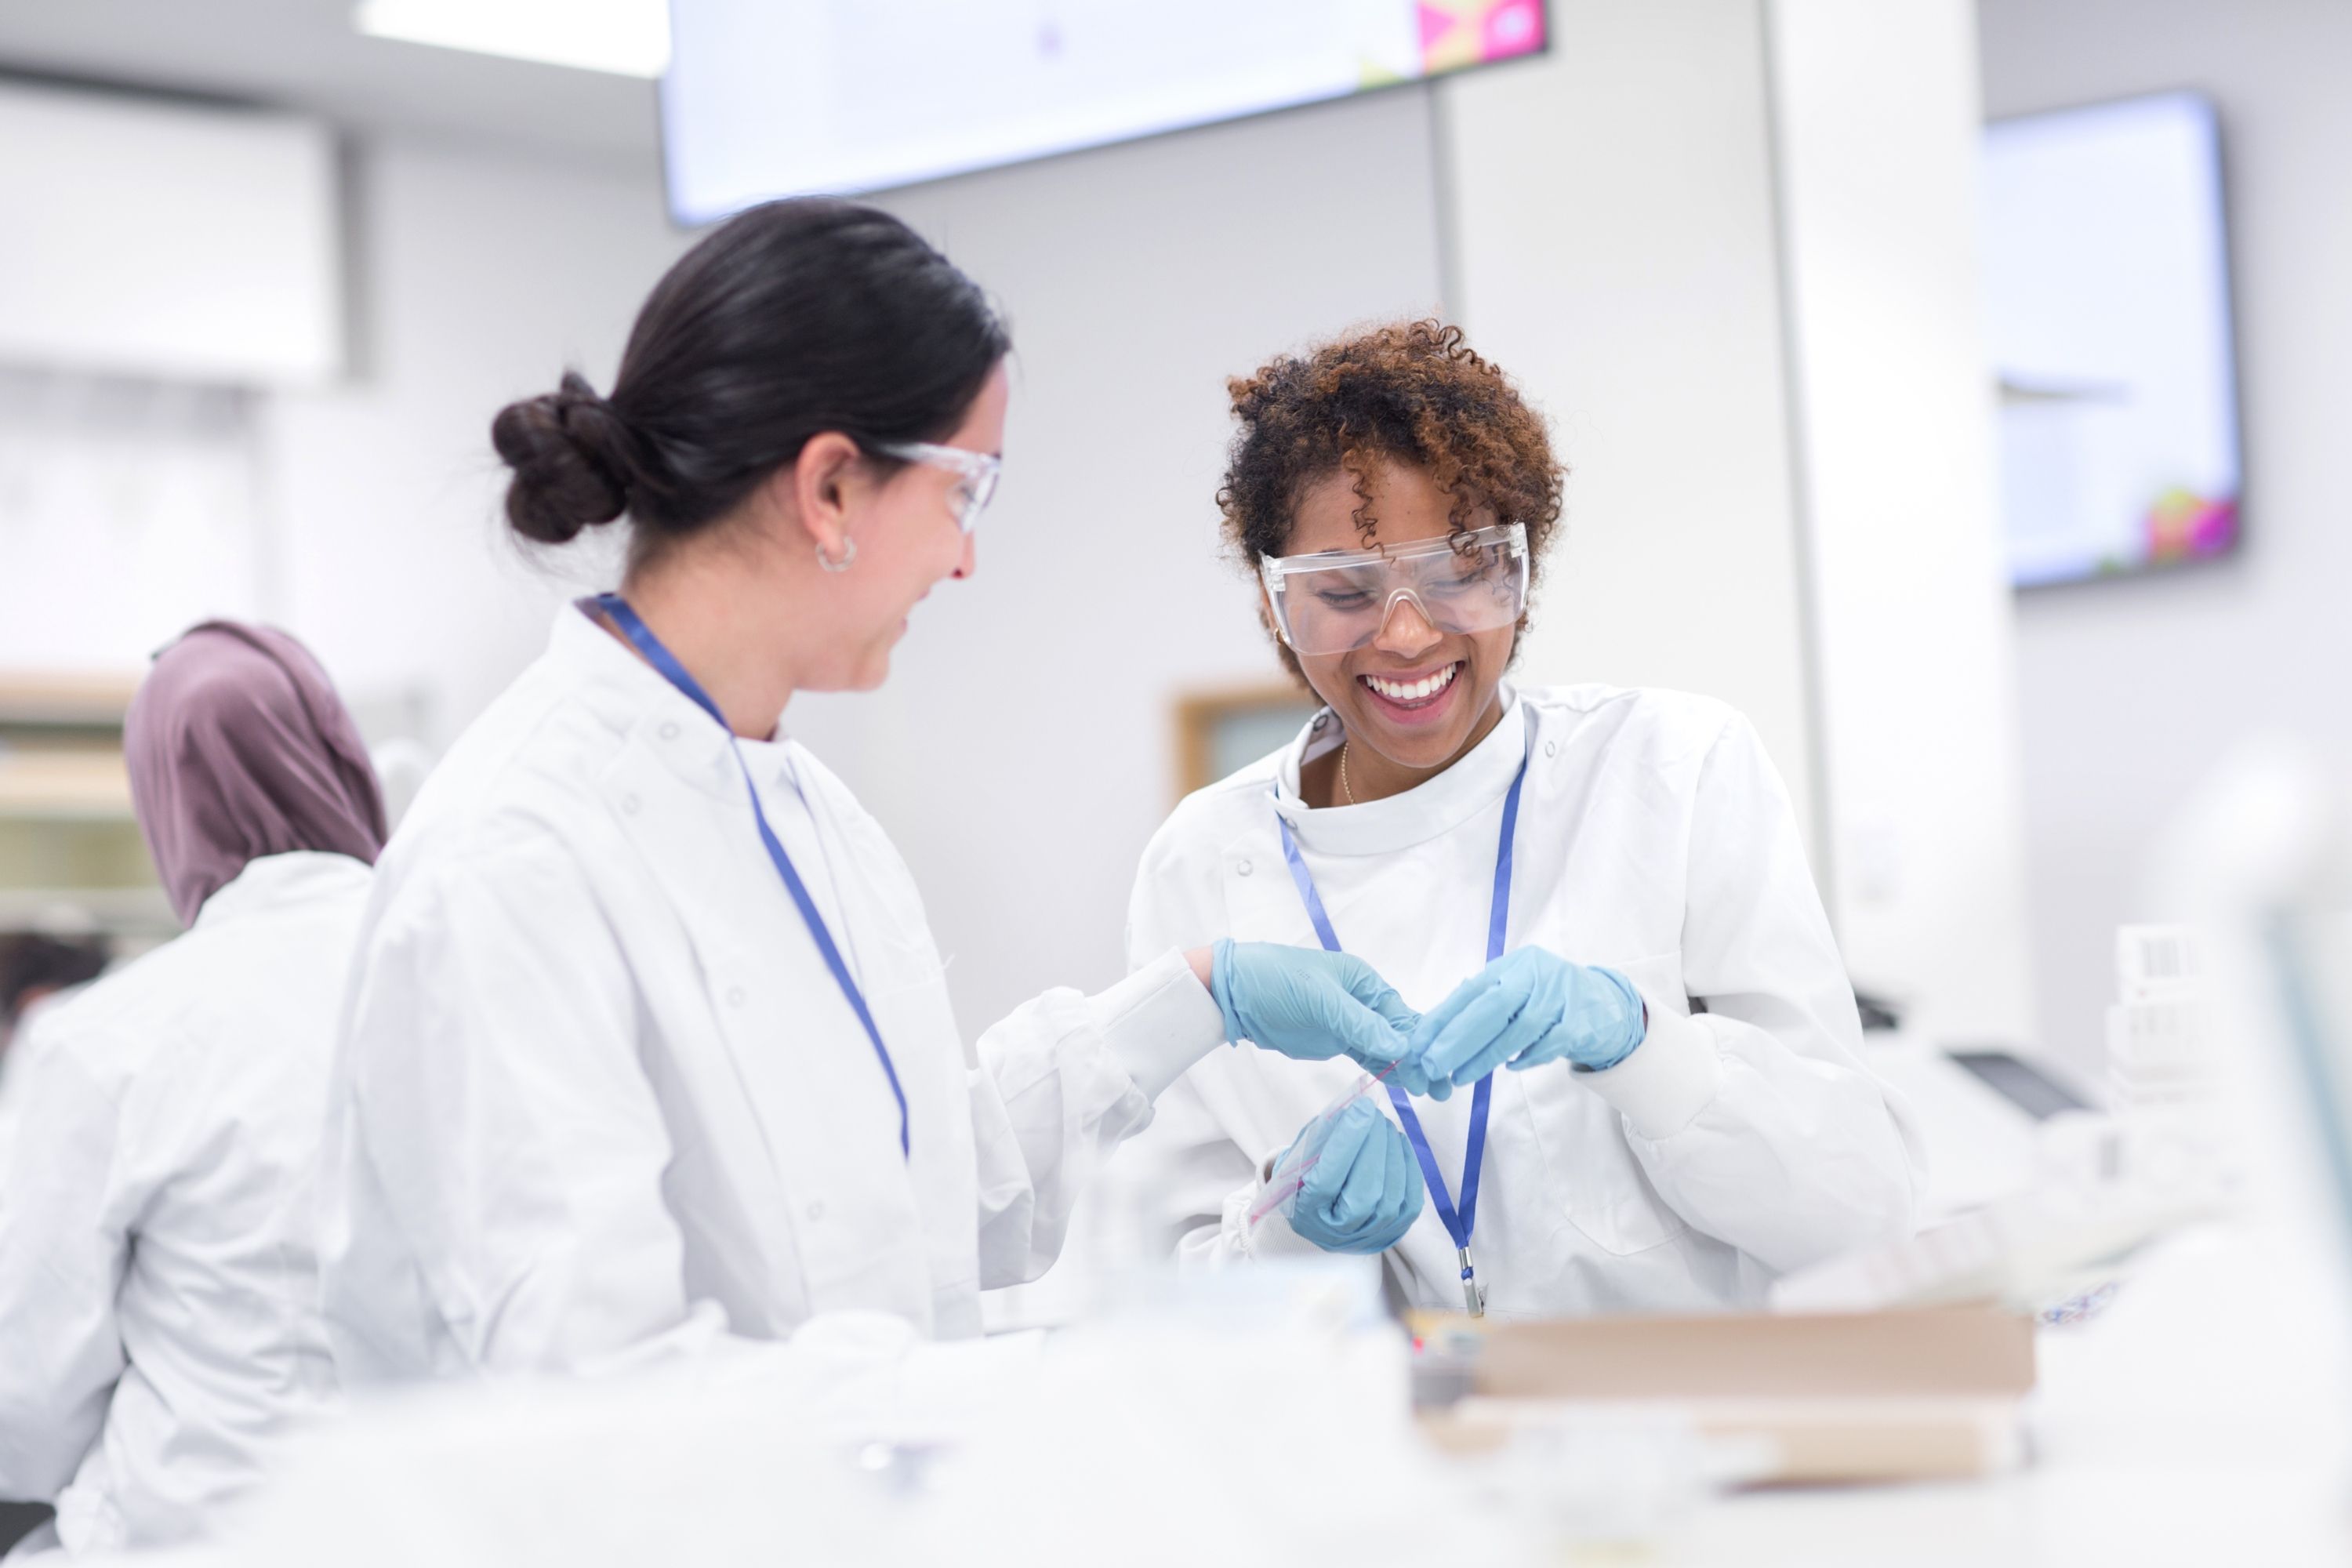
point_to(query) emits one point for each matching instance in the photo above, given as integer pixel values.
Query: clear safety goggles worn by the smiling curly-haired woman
(1339, 601)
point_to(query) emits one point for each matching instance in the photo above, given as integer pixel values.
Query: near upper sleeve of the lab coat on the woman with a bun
(509, 1125)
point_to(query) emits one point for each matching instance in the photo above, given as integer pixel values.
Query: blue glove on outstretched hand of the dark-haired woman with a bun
(1314, 1005)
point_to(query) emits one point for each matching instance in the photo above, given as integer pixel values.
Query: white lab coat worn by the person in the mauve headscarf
(159, 1275)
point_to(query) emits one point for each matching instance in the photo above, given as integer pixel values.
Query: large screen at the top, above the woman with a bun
(794, 98)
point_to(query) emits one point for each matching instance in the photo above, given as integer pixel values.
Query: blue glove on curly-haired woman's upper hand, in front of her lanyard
(1525, 1010)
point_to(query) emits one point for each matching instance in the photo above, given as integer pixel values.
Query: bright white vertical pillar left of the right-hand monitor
(1878, 152)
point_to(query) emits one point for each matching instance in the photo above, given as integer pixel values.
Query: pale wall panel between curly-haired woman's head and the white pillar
(1615, 250)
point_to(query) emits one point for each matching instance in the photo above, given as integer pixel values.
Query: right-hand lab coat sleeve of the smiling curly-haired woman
(1758, 1120)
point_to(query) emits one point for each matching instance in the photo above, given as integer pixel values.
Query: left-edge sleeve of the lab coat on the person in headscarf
(62, 1254)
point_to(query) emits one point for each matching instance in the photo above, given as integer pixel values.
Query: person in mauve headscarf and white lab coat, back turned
(159, 1292)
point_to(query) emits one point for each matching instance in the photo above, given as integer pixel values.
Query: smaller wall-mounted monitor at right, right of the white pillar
(2109, 311)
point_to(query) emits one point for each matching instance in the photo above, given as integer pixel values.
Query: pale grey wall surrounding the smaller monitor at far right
(2132, 690)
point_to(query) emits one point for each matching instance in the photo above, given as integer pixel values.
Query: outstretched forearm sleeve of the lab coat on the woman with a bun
(1060, 1085)
